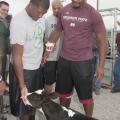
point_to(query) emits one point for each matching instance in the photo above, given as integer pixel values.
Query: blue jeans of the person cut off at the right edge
(116, 73)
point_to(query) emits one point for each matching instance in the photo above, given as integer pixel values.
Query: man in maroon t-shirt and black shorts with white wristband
(78, 21)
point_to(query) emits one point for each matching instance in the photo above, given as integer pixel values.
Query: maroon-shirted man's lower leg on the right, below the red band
(88, 109)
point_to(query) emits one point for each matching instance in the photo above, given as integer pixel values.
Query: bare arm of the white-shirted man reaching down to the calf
(17, 53)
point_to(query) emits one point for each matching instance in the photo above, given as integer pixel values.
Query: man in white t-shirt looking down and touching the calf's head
(26, 35)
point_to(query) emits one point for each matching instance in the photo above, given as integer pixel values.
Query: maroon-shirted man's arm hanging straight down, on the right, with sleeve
(100, 31)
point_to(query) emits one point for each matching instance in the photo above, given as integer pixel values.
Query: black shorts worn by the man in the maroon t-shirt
(78, 74)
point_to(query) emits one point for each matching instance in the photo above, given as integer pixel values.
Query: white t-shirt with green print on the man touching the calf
(29, 33)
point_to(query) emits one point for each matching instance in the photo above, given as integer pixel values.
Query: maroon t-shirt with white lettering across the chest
(78, 27)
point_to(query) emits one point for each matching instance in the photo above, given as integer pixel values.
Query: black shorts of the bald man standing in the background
(50, 69)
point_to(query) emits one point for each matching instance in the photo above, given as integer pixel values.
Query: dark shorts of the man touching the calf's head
(33, 81)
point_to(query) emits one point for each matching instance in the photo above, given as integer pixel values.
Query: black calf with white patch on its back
(52, 110)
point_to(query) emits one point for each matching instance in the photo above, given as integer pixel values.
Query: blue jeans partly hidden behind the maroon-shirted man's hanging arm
(96, 82)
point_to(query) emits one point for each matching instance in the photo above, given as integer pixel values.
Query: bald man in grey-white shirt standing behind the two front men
(50, 67)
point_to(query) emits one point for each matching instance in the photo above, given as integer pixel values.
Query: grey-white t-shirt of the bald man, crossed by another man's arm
(50, 24)
